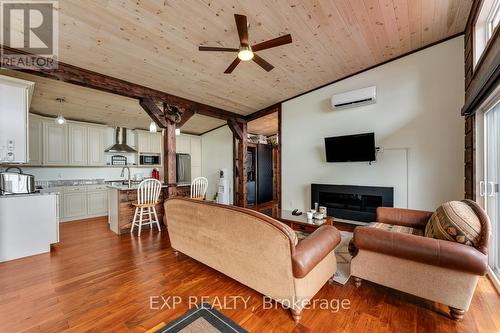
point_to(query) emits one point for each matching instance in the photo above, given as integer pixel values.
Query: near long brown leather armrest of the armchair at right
(426, 250)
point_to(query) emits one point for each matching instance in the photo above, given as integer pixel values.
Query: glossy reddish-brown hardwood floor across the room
(97, 281)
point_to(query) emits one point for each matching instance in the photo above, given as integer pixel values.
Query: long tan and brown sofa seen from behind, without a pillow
(254, 249)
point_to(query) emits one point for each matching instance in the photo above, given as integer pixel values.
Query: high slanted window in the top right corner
(486, 23)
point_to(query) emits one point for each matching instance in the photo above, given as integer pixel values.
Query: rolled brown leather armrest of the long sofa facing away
(311, 250)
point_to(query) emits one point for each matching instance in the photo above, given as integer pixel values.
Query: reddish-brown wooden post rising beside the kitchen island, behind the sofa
(169, 162)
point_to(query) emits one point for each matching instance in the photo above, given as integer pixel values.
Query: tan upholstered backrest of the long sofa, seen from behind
(243, 244)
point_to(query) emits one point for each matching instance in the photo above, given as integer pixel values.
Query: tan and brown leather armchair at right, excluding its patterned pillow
(442, 271)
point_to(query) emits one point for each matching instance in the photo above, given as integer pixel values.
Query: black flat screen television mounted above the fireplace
(351, 148)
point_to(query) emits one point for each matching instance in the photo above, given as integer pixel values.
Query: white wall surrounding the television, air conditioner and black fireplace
(419, 98)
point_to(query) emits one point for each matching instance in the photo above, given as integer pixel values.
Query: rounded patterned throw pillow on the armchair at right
(455, 221)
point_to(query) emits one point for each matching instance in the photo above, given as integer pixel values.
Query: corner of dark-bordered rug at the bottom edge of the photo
(202, 319)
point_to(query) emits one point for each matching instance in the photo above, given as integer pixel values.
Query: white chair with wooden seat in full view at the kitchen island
(148, 193)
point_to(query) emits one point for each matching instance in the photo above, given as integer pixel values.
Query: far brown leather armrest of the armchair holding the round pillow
(404, 217)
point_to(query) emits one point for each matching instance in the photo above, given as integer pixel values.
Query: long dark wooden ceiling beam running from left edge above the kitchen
(89, 79)
